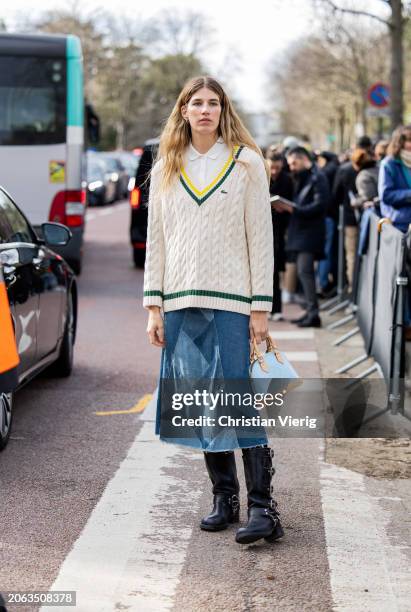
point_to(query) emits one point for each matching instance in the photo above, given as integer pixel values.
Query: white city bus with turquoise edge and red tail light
(42, 131)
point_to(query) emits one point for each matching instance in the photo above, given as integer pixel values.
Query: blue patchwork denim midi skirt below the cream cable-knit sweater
(205, 344)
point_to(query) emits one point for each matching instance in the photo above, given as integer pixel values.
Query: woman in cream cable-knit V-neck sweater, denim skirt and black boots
(209, 266)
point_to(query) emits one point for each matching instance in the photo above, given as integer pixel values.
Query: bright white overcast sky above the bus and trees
(250, 34)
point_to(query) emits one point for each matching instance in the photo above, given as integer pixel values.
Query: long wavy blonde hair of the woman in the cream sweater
(176, 135)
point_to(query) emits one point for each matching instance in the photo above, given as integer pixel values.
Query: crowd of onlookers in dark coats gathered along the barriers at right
(307, 188)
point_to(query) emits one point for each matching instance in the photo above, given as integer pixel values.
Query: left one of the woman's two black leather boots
(223, 475)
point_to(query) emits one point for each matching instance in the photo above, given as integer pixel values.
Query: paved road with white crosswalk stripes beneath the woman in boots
(92, 502)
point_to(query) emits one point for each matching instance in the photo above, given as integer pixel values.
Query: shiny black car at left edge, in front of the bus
(42, 293)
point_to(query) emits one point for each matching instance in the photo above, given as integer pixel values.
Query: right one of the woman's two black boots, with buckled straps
(263, 516)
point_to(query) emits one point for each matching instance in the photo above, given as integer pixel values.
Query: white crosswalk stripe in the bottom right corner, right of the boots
(367, 572)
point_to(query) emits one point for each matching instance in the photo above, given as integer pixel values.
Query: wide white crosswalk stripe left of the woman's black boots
(130, 554)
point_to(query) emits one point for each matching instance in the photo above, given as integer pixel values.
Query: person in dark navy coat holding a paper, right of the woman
(306, 228)
